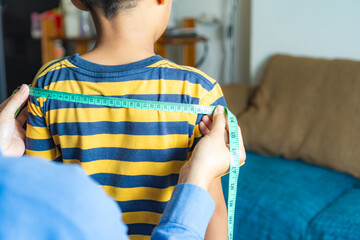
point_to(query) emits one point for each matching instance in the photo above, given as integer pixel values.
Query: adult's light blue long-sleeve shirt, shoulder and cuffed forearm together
(44, 200)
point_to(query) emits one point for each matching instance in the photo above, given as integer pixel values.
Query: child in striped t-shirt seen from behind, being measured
(134, 154)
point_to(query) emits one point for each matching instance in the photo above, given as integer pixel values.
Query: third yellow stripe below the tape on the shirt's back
(132, 168)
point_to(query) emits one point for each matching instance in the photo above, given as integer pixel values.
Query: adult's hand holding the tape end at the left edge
(12, 135)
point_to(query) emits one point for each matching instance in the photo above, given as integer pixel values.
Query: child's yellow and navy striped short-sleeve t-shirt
(136, 155)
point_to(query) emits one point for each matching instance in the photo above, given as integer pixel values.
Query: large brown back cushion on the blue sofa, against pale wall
(307, 109)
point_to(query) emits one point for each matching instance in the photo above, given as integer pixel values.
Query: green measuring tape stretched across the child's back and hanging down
(167, 107)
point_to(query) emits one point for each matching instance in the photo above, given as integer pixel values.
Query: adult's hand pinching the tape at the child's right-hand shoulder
(211, 156)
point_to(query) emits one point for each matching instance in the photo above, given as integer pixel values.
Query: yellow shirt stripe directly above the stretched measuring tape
(159, 86)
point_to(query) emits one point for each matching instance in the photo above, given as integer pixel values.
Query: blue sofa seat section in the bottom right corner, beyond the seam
(341, 220)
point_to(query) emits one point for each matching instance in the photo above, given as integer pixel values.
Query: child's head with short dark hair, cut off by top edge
(157, 10)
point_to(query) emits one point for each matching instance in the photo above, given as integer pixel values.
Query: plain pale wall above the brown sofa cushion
(321, 28)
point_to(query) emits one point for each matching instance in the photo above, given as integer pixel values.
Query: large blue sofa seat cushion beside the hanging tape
(278, 198)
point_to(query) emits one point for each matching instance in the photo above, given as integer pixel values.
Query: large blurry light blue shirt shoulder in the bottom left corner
(46, 200)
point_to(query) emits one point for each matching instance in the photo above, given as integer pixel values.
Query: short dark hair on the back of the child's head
(109, 7)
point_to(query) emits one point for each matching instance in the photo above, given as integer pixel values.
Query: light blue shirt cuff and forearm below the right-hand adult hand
(187, 215)
